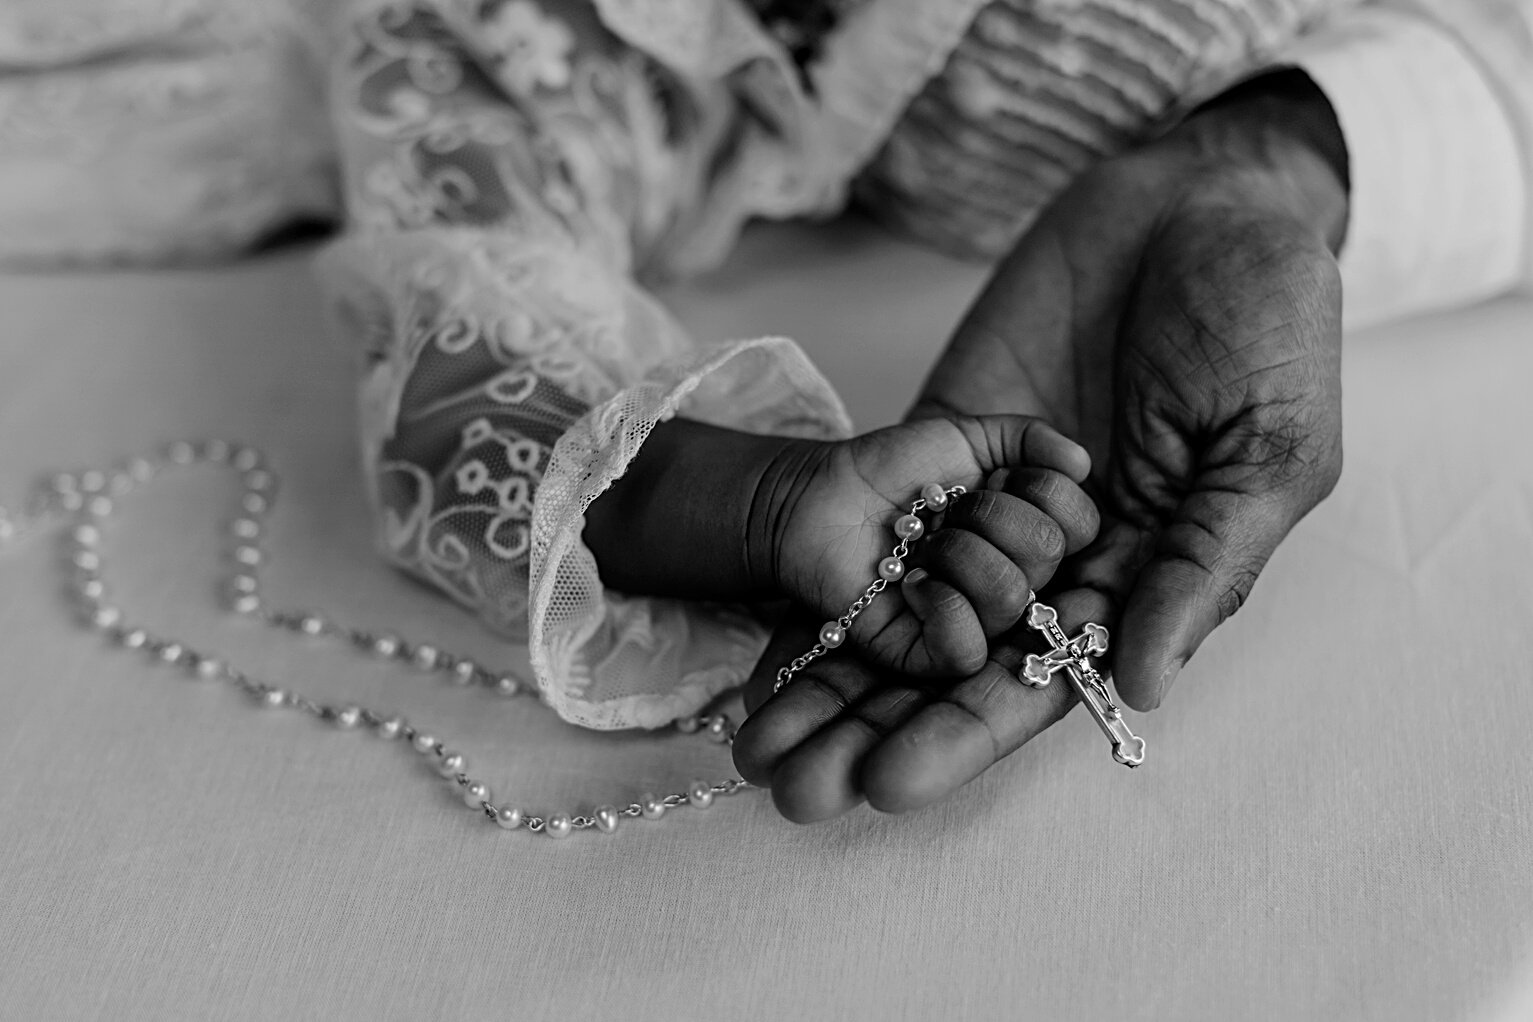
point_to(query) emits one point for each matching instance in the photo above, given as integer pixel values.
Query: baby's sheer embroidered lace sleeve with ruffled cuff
(505, 174)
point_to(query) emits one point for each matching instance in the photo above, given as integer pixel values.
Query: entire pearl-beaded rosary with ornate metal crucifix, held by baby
(90, 499)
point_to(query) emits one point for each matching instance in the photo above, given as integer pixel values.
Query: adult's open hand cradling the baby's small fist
(1178, 310)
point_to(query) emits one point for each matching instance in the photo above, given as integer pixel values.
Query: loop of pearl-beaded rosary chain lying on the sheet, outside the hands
(90, 499)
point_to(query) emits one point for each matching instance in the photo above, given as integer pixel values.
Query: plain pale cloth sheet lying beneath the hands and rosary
(1336, 819)
